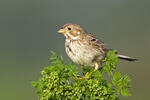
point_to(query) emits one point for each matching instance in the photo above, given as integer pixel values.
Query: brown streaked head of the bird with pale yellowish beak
(72, 31)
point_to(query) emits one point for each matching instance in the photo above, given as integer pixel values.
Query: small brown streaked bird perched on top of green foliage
(83, 48)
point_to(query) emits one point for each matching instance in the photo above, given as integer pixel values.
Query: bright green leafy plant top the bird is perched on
(60, 81)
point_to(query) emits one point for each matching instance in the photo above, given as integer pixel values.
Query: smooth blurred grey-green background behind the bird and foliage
(28, 32)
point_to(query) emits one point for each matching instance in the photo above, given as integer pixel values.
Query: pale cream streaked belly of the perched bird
(80, 55)
